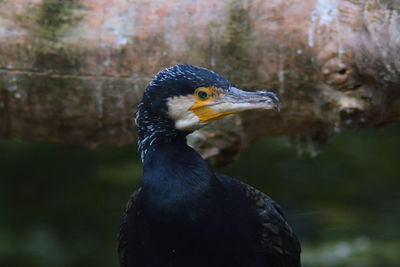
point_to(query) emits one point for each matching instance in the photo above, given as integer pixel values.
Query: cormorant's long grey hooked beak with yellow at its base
(235, 100)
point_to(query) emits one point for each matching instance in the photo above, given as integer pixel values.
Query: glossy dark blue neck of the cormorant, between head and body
(175, 176)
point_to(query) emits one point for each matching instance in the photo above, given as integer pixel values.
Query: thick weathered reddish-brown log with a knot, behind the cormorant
(73, 71)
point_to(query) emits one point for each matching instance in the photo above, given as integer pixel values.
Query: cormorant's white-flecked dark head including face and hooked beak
(183, 98)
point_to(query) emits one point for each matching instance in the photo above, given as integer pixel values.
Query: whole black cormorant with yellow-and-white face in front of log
(185, 214)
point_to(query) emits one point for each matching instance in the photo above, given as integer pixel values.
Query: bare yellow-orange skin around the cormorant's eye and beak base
(203, 97)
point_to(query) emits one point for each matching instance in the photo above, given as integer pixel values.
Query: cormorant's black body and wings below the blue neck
(236, 225)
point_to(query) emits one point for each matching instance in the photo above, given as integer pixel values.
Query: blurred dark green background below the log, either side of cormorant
(61, 205)
